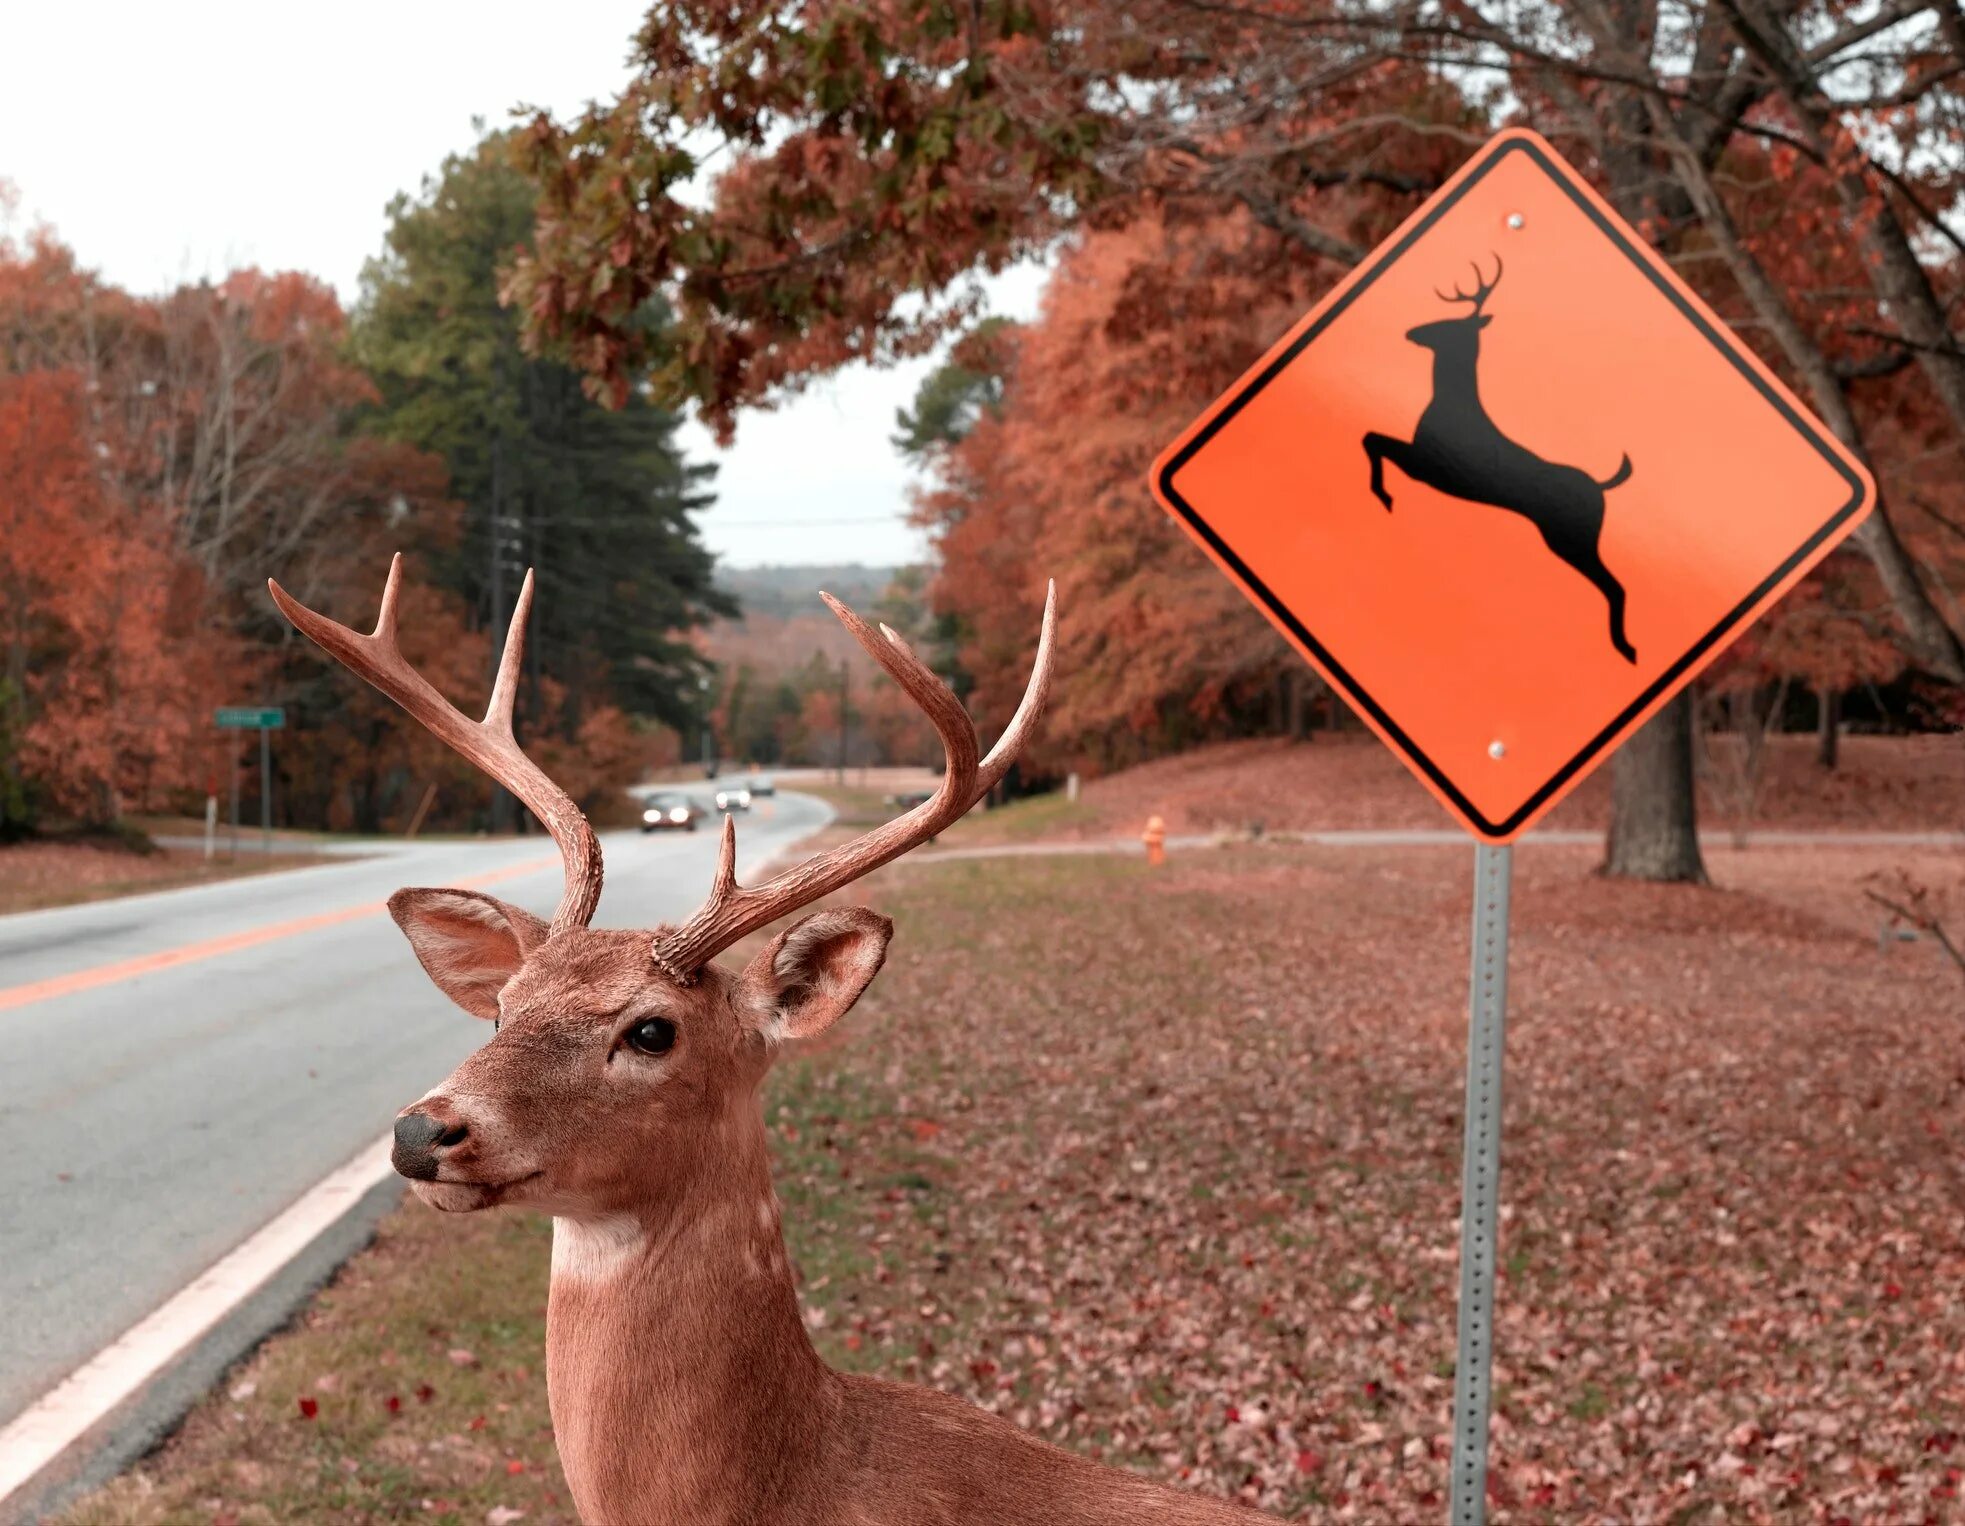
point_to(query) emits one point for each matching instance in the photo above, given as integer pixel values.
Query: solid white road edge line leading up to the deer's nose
(48, 1427)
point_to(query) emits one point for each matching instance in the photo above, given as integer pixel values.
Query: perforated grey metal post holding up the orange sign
(1481, 1183)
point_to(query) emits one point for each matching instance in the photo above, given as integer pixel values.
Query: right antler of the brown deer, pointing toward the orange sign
(732, 910)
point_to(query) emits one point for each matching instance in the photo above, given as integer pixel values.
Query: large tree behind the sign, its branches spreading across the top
(877, 158)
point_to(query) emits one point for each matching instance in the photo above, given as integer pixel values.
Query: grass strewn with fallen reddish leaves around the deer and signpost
(1164, 1166)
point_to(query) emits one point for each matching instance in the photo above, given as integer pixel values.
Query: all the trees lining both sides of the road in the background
(1192, 174)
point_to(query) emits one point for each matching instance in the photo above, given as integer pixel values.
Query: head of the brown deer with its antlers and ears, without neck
(620, 1062)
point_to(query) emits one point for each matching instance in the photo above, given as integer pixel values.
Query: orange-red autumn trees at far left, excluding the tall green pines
(162, 457)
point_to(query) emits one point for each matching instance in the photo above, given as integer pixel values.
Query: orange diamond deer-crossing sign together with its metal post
(1510, 480)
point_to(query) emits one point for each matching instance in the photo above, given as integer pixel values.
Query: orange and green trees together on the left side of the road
(164, 455)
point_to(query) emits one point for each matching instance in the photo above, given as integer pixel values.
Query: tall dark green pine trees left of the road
(596, 500)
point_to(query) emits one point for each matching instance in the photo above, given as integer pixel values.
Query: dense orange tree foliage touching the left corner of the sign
(1141, 319)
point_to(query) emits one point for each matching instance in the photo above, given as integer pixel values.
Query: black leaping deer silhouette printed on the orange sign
(1463, 453)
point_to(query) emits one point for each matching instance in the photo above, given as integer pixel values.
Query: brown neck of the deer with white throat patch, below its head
(683, 1384)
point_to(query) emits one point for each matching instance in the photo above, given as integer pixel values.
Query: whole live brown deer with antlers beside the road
(620, 1093)
